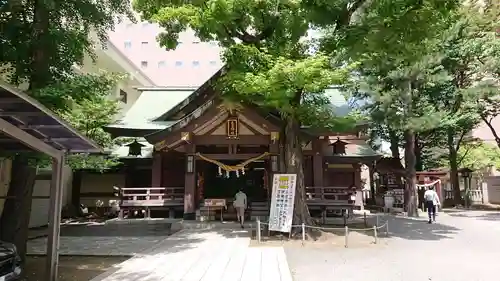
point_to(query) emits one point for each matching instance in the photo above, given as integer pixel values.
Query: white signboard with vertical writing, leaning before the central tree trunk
(282, 202)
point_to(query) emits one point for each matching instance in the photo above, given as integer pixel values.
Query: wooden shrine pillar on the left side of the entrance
(190, 185)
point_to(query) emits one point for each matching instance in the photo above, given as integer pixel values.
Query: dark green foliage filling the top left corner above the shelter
(57, 33)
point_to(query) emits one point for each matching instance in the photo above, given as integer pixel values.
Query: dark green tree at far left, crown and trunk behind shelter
(41, 41)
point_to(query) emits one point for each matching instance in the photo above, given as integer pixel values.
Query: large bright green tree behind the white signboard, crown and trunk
(265, 59)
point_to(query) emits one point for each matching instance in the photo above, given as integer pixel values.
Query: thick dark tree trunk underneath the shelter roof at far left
(14, 221)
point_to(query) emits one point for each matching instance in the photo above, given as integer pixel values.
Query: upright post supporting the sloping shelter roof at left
(56, 193)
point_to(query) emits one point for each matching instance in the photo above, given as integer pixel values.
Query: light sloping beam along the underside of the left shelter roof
(29, 140)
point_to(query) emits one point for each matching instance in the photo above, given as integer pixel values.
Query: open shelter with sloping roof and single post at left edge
(26, 125)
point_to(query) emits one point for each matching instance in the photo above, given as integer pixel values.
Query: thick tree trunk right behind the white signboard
(294, 165)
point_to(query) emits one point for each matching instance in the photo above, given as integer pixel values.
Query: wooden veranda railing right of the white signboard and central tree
(329, 195)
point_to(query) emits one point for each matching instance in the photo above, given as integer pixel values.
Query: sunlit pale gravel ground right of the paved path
(462, 246)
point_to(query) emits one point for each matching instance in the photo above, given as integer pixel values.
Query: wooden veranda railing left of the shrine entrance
(151, 196)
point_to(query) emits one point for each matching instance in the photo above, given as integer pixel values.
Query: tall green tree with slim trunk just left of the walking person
(392, 41)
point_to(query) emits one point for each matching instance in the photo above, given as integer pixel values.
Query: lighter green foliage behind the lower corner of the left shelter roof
(84, 102)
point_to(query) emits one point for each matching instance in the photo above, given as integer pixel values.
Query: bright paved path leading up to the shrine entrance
(197, 255)
